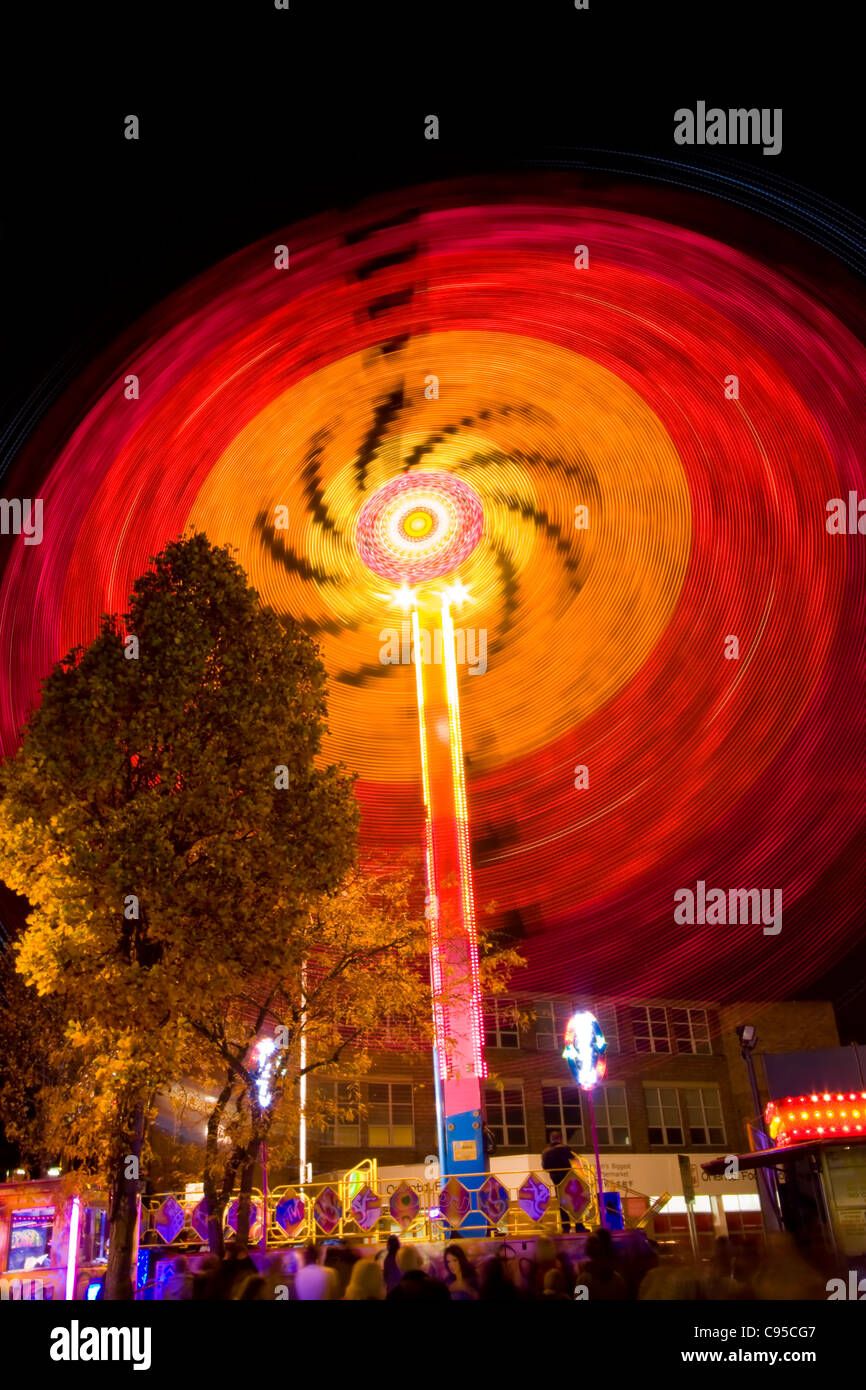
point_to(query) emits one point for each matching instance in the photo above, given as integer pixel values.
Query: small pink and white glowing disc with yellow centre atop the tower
(420, 528)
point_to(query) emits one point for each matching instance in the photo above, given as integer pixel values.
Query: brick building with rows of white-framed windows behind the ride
(676, 1085)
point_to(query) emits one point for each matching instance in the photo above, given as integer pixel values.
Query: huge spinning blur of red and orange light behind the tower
(614, 753)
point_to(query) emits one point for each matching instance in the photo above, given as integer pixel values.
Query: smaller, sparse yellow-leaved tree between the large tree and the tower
(357, 970)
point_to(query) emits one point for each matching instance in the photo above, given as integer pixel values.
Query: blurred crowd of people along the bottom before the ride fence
(740, 1270)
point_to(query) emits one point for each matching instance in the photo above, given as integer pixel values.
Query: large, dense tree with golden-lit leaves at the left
(170, 826)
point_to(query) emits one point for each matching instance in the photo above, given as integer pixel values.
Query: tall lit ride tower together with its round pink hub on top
(416, 530)
